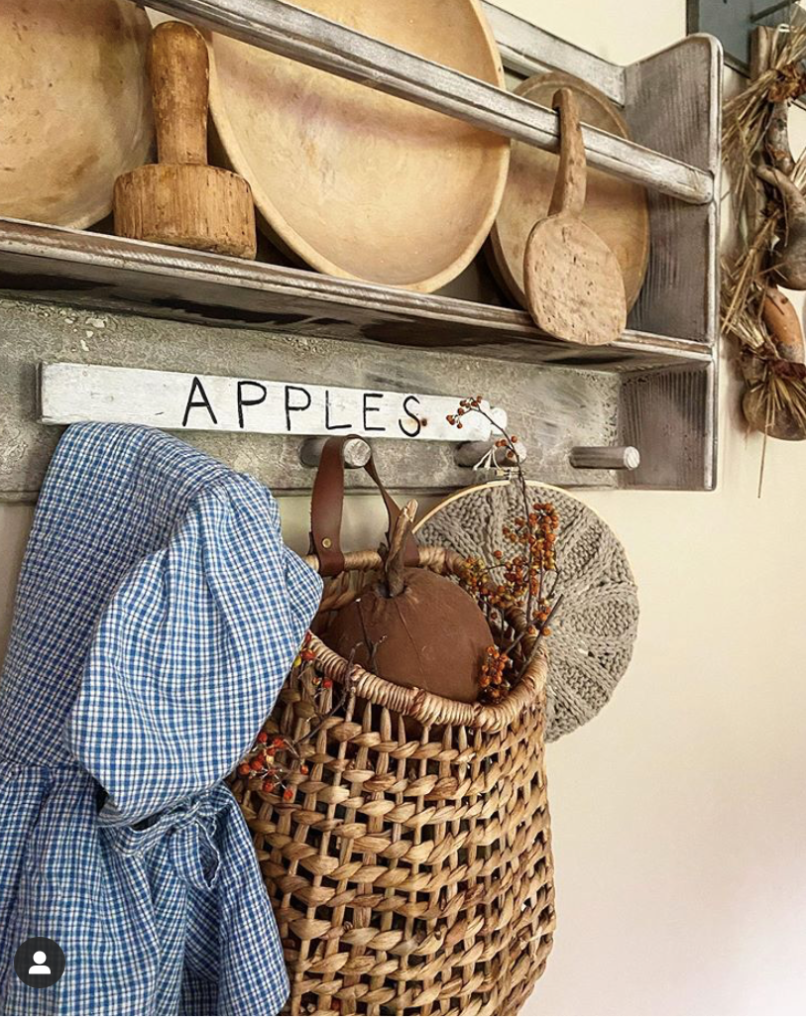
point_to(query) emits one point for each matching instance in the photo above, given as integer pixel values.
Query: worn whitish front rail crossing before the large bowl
(301, 35)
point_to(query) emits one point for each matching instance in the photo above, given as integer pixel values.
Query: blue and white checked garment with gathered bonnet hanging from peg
(158, 612)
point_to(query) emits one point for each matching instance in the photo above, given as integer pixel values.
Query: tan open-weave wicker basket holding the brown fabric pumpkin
(411, 875)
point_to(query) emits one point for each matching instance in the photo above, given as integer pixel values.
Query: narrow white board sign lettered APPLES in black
(73, 393)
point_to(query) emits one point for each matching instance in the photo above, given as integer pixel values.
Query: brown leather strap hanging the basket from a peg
(327, 505)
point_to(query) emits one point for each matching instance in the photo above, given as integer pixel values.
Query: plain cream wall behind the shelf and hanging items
(681, 813)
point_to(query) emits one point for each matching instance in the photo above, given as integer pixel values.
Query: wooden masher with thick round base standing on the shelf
(182, 201)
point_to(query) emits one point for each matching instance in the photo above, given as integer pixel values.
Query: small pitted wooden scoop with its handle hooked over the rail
(573, 282)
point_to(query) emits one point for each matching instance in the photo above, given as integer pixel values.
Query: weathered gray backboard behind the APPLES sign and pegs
(553, 410)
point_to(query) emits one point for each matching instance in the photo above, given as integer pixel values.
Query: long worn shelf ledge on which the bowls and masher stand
(102, 272)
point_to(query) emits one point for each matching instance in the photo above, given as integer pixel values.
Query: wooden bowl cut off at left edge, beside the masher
(75, 106)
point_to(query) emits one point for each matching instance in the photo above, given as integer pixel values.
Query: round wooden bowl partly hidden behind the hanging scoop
(615, 209)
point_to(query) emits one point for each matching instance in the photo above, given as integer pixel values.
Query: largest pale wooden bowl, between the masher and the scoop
(356, 183)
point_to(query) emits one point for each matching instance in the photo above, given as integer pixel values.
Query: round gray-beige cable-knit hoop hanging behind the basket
(596, 627)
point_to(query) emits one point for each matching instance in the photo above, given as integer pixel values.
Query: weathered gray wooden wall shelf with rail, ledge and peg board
(654, 389)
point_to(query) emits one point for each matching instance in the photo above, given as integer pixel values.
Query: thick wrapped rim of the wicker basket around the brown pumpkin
(430, 709)
